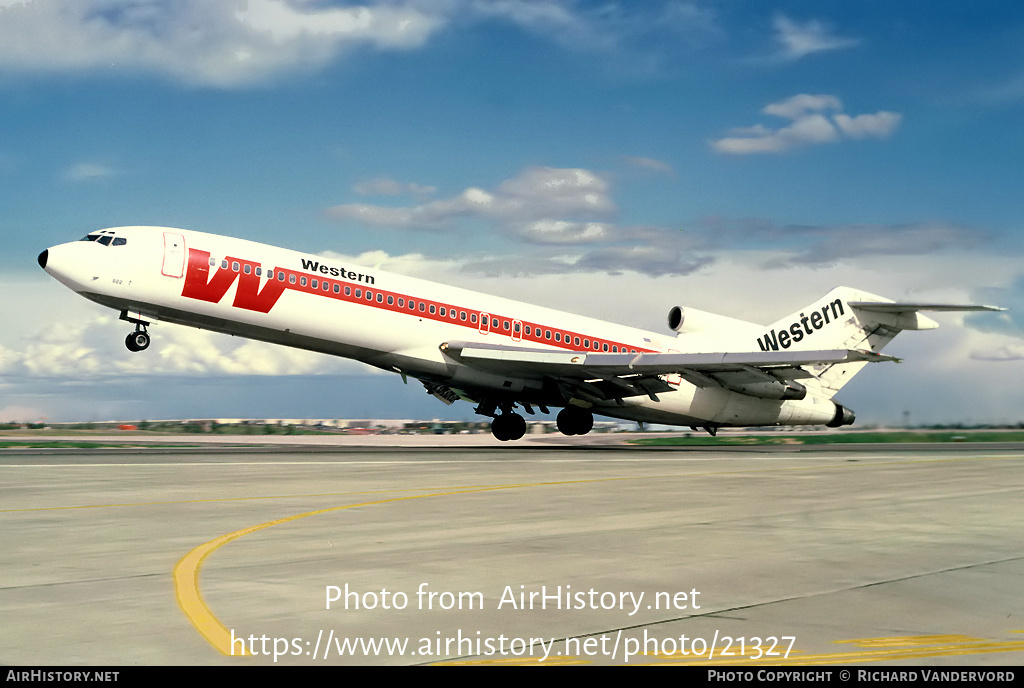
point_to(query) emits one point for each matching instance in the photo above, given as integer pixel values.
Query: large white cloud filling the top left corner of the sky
(224, 45)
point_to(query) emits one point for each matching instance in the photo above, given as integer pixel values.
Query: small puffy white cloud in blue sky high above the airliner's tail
(813, 123)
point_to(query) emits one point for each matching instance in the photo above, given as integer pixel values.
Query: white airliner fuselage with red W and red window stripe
(389, 321)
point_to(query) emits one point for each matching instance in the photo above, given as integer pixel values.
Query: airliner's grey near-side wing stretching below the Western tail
(613, 376)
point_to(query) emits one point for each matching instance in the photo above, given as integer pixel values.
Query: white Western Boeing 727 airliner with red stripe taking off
(711, 372)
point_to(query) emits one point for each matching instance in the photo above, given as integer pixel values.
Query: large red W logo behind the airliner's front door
(200, 285)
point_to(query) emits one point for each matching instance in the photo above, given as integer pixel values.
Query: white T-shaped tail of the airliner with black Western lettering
(848, 319)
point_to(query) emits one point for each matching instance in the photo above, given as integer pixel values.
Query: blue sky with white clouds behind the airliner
(609, 158)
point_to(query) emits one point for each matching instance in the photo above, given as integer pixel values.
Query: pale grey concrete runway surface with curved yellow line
(883, 554)
